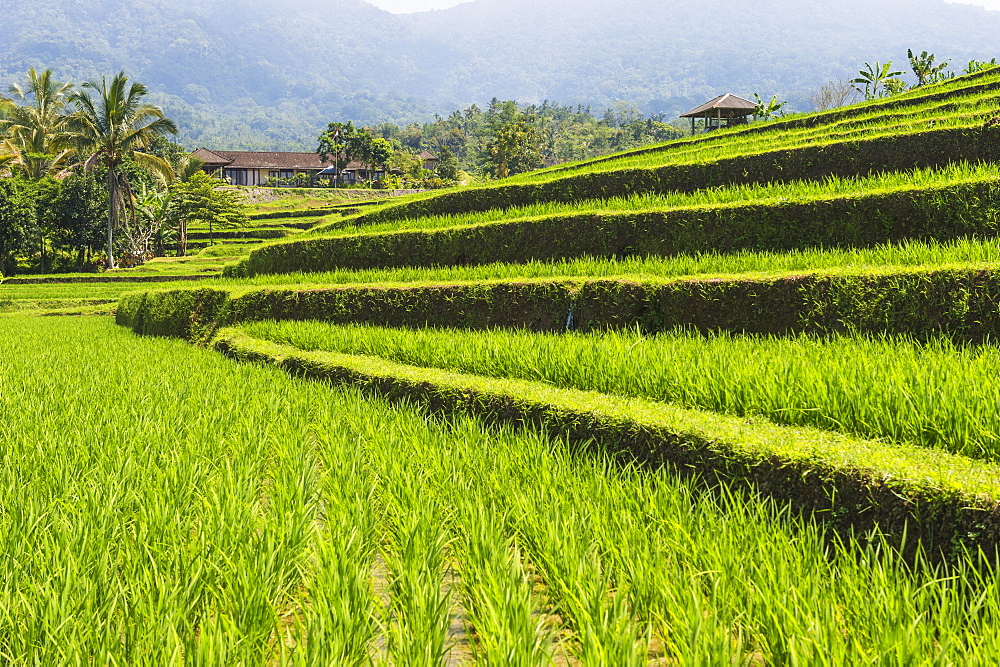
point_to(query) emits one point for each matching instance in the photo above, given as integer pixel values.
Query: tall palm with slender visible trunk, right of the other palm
(115, 125)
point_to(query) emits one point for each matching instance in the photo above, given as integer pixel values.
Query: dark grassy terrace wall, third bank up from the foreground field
(940, 213)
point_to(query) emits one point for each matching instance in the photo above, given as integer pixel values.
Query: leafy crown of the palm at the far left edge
(37, 128)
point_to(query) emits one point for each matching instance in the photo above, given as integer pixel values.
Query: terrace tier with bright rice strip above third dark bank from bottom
(955, 202)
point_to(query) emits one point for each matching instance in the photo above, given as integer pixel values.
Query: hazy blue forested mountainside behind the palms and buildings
(270, 74)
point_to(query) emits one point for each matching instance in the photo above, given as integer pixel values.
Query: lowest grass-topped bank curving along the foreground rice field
(939, 500)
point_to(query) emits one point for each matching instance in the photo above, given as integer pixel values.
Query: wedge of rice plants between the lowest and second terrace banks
(935, 394)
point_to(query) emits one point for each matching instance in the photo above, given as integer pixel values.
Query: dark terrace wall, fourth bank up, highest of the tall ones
(861, 157)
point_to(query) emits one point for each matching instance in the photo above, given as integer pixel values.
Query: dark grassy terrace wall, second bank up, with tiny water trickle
(960, 303)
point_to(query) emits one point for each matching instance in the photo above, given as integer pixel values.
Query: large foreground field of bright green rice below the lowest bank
(163, 505)
